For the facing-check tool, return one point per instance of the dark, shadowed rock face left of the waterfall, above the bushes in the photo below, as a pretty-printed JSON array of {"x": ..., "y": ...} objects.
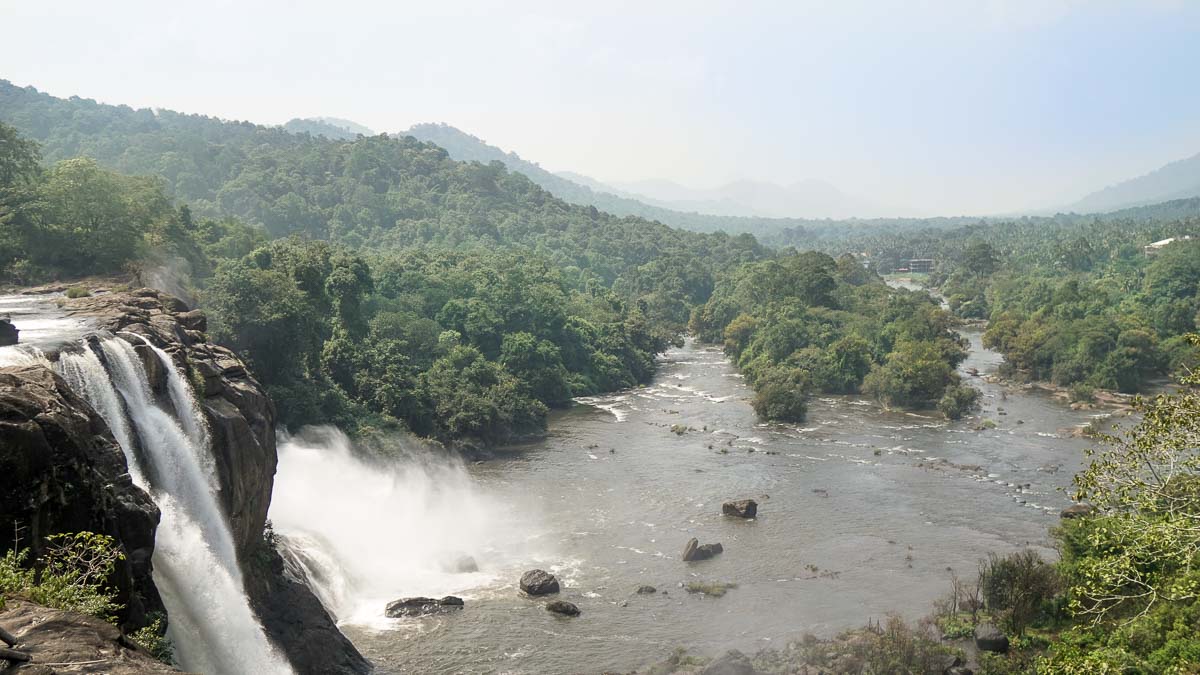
[{"x": 62, "y": 471}]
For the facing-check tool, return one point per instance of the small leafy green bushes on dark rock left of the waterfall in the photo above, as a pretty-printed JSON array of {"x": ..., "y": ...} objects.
[{"x": 73, "y": 575}]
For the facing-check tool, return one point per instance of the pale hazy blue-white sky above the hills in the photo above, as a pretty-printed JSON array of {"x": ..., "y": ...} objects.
[{"x": 934, "y": 107}]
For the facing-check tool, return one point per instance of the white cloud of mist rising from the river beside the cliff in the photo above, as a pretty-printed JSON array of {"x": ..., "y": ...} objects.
[{"x": 391, "y": 519}]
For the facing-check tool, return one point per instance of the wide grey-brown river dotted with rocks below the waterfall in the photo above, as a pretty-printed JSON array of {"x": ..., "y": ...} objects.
[{"x": 863, "y": 512}]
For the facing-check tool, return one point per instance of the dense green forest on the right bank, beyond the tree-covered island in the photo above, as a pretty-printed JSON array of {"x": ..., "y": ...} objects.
[{"x": 1072, "y": 301}]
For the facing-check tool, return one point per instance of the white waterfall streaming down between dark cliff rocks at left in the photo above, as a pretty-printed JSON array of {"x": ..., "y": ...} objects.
[{"x": 212, "y": 626}]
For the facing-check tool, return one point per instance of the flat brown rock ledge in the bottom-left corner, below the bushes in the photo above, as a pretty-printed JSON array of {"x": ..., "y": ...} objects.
[{"x": 52, "y": 636}]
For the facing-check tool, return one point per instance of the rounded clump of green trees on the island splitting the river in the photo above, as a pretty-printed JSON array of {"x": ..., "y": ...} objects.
[{"x": 808, "y": 324}]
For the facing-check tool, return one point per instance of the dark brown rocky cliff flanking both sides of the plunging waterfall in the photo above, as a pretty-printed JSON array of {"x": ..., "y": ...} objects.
[{"x": 242, "y": 422}]
